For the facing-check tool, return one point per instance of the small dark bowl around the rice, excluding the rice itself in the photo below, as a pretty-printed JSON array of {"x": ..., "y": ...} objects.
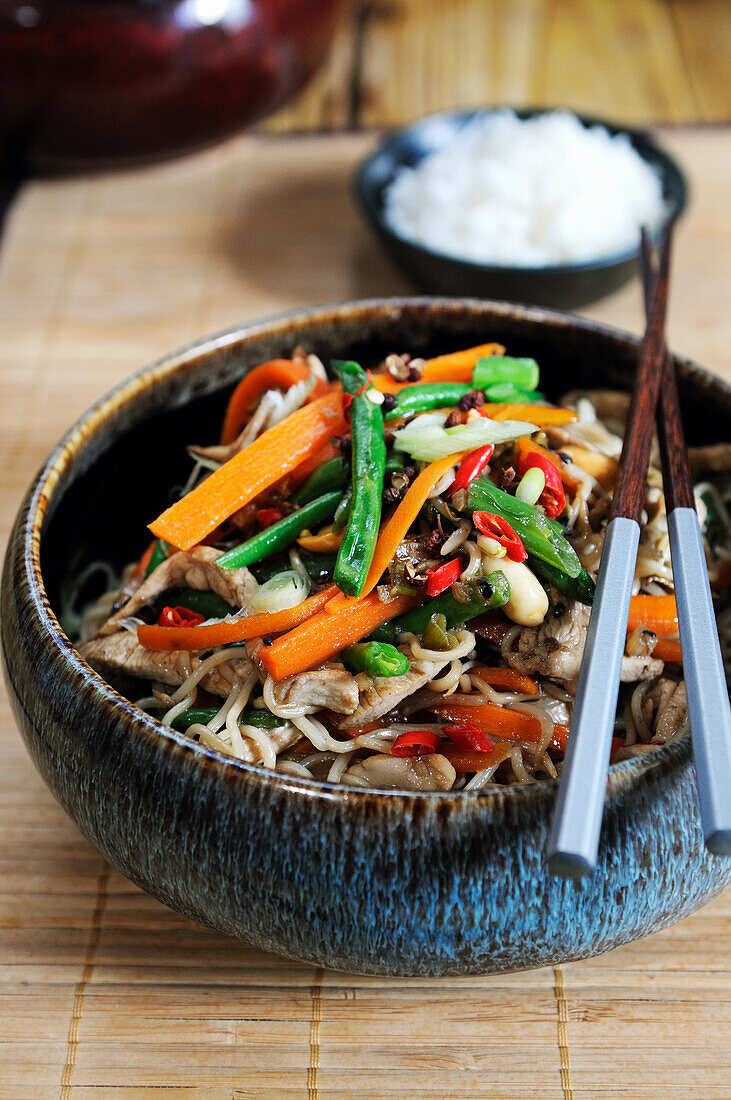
[{"x": 563, "y": 287}]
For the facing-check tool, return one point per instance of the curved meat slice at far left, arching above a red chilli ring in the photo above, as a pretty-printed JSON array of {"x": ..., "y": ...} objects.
[{"x": 187, "y": 569}]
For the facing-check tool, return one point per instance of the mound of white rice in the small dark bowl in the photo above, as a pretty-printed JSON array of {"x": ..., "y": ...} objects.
[{"x": 528, "y": 193}]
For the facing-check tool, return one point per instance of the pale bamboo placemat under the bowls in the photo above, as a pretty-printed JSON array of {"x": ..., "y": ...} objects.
[{"x": 104, "y": 992}]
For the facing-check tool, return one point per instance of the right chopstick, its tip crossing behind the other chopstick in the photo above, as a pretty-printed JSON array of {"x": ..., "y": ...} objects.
[{"x": 703, "y": 665}]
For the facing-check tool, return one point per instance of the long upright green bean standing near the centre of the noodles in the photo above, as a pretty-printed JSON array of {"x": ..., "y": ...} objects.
[{"x": 368, "y": 468}]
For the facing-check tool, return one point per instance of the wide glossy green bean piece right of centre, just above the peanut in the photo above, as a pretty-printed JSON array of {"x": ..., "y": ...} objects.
[{"x": 539, "y": 535}]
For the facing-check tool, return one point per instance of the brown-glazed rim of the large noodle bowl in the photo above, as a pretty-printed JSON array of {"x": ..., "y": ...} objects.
[{"x": 132, "y": 390}]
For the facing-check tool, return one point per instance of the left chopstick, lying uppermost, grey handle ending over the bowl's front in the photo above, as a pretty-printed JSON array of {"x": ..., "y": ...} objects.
[{"x": 574, "y": 840}]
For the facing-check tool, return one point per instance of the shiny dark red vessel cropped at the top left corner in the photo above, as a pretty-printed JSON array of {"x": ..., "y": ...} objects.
[{"x": 98, "y": 83}]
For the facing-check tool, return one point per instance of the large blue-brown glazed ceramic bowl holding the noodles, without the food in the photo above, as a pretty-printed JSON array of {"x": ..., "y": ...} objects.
[{"x": 369, "y": 882}]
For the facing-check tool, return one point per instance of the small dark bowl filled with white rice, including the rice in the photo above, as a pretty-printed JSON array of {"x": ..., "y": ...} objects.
[{"x": 540, "y": 207}]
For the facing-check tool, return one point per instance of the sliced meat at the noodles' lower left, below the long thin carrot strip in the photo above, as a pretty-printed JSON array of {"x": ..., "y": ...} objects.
[{"x": 121, "y": 655}]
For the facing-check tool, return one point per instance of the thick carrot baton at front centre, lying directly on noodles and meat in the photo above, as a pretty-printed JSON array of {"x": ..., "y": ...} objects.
[{"x": 324, "y": 636}]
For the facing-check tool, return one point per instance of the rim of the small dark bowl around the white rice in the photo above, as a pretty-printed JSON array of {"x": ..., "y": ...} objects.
[{"x": 369, "y": 194}]
